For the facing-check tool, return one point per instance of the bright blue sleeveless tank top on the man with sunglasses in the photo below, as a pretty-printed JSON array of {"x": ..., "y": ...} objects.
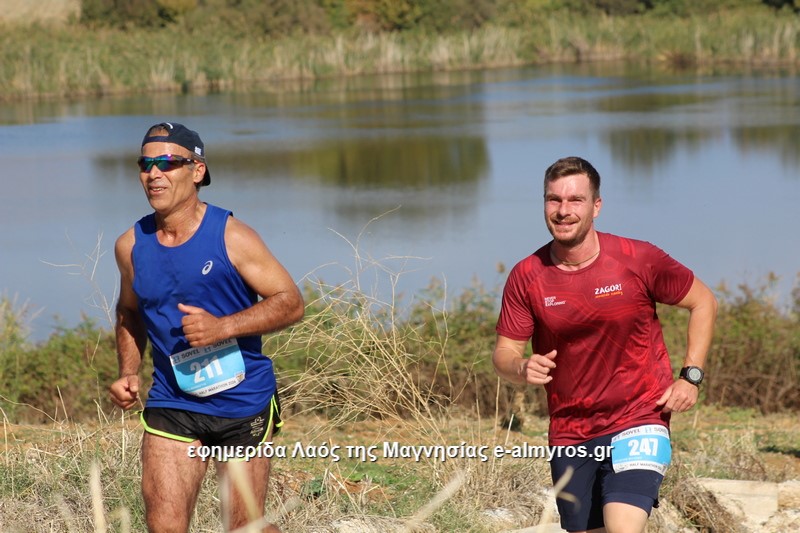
[{"x": 198, "y": 273}]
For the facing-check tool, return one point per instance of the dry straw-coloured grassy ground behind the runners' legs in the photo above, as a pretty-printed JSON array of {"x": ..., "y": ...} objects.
[{"x": 311, "y": 493}]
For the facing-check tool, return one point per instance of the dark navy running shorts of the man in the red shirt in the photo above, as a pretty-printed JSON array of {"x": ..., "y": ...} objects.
[{"x": 594, "y": 483}]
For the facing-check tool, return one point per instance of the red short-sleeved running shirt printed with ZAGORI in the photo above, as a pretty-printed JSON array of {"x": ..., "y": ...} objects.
[{"x": 612, "y": 363}]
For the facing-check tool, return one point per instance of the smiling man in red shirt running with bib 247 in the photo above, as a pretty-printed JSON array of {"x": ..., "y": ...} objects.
[{"x": 587, "y": 303}]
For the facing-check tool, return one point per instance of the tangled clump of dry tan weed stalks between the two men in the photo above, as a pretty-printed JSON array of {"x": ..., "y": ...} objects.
[{"x": 363, "y": 358}]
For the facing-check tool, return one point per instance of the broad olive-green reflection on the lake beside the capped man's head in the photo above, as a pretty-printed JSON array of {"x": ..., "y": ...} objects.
[{"x": 434, "y": 179}]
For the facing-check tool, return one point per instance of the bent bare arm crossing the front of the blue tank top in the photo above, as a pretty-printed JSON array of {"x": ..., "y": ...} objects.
[{"x": 281, "y": 304}]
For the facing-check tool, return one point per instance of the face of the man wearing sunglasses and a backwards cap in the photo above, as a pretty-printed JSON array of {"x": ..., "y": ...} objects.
[{"x": 169, "y": 189}]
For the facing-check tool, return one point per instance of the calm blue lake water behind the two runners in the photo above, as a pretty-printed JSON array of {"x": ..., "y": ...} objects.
[{"x": 704, "y": 166}]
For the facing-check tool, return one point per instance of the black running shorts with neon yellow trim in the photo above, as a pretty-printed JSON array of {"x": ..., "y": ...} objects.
[{"x": 187, "y": 426}]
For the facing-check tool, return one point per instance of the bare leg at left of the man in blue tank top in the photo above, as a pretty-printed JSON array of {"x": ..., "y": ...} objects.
[{"x": 171, "y": 481}]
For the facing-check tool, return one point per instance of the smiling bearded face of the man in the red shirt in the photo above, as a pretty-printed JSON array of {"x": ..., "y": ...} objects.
[{"x": 570, "y": 209}]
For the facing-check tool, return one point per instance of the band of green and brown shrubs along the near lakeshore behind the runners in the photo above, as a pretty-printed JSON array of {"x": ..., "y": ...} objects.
[{"x": 355, "y": 356}]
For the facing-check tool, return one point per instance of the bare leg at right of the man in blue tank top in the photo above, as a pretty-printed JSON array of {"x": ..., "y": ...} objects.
[{"x": 243, "y": 492}]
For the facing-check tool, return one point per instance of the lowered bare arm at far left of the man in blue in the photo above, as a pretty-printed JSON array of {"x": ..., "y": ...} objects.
[{"x": 129, "y": 329}]
